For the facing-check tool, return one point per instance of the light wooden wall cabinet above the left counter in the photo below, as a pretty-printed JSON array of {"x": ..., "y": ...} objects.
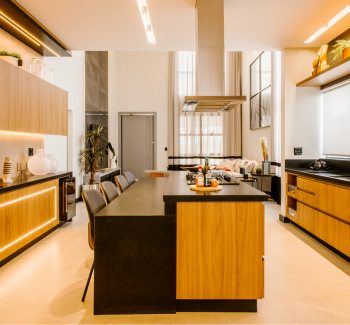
[{"x": 30, "y": 104}]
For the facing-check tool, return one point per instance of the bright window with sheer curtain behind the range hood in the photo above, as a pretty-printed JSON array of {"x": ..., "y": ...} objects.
[{"x": 201, "y": 134}]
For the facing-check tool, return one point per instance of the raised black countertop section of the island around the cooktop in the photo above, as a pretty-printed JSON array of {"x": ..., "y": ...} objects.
[{"x": 177, "y": 190}]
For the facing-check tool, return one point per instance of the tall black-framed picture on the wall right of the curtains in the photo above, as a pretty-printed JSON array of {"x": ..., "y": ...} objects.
[{"x": 260, "y": 91}]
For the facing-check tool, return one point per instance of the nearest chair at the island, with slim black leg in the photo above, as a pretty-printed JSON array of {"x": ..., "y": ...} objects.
[{"x": 94, "y": 203}]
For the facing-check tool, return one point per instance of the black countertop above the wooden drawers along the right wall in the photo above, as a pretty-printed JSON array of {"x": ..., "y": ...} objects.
[{"x": 331, "y": 175}]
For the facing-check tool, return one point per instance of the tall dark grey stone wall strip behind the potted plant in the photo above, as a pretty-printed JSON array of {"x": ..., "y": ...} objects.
[{"x": 96, "y": 94}]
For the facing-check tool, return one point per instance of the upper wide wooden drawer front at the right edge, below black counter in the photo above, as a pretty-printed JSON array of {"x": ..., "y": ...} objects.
[{"x": 334, "y": 200}]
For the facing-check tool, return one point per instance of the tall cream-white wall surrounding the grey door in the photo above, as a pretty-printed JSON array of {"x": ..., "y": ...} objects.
[{"x": 138, "y": 82}]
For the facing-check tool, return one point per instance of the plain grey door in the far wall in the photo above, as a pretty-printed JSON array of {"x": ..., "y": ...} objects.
[{"x": 137, "y": 143}]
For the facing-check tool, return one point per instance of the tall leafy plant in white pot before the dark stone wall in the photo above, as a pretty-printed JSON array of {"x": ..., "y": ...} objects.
[{"x": 91, "y": 158}]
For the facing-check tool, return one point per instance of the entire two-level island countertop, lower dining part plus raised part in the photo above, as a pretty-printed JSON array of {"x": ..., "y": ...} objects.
[{"x": 146, "y": 197}]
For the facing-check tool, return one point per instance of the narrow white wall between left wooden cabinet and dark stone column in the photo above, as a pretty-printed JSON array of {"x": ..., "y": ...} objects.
[{"x": 70, "y": 76}]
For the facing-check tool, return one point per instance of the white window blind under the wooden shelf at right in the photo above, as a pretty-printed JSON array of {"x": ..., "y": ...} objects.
[{"x": 336, "y": 121}]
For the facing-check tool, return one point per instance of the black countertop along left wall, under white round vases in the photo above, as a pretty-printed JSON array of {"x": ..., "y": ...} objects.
[{"x": 30, "y": 181}]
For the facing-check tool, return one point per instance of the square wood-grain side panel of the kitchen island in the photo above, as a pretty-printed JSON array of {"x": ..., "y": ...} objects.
[{"x": 220, "y": 248}]
